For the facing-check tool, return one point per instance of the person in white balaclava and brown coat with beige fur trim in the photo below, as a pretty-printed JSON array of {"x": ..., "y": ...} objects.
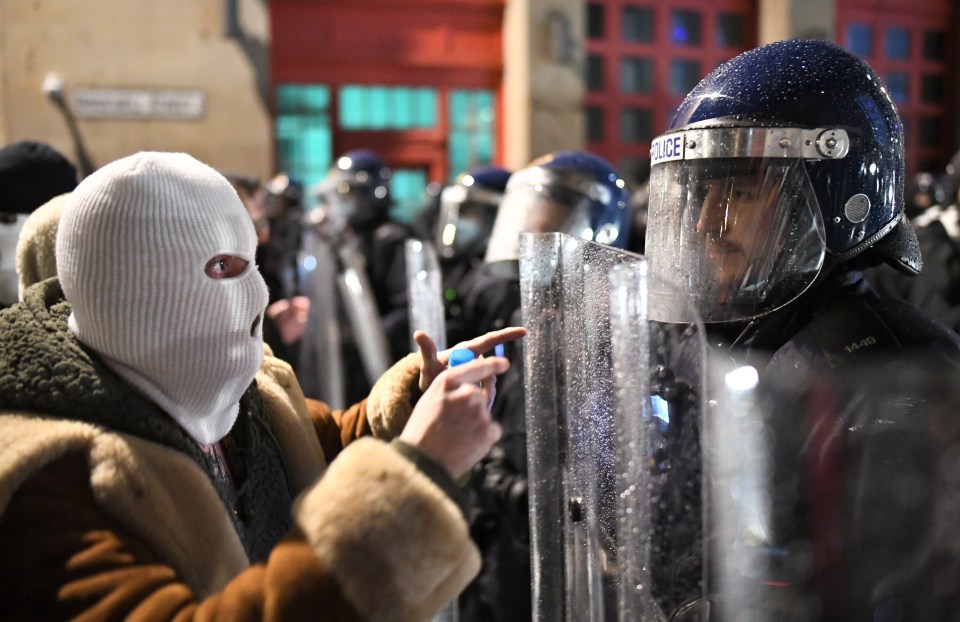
[{"x": 111, "y": 508}]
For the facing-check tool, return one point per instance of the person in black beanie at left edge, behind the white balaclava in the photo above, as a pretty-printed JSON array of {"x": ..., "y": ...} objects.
[{"x": 31, "y": 173}]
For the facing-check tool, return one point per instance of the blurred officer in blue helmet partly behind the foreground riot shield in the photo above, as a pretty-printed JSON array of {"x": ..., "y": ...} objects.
[{"x": 571, "y": 192}]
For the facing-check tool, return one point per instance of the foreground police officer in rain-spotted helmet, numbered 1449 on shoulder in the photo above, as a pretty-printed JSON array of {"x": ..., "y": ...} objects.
[{"x": 780, "y": 179}]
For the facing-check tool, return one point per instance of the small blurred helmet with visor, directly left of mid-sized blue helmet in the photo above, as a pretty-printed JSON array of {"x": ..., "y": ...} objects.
[{"x": 468, "y": 208}]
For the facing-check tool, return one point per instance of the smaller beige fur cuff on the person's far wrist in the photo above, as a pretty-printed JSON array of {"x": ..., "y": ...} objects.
[{"x": 389, "y": 404}]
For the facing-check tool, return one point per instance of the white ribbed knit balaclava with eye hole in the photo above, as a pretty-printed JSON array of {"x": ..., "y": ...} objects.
[{"x": 132, "y": 247}]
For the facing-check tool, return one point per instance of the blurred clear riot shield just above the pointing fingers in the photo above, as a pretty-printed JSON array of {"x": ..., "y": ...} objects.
[{"x": 425, "y": 292}]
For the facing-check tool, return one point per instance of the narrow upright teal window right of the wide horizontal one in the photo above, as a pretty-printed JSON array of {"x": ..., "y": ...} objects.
[{"x": 471, "y": 137}]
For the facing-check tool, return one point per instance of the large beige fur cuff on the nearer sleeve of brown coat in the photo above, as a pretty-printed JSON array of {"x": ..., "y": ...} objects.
[{"x": 399, "y": 548}]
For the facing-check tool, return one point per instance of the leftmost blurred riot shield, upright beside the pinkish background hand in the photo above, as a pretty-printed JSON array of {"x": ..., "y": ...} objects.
[{"x": 320, "y": 368}]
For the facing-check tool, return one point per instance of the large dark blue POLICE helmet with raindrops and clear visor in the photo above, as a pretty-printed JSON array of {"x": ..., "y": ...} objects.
[{"x": 783, "y": 161}]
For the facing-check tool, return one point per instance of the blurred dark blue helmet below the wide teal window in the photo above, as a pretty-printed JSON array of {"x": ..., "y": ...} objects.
[{"x": 356, "y": 190}]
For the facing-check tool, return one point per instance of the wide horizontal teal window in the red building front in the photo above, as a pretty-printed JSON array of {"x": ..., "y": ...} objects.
[{"x": 386, "y": 108}]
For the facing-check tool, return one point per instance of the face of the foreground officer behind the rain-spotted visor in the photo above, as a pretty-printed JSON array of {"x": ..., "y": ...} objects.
[{"x": 734, "y": 220}]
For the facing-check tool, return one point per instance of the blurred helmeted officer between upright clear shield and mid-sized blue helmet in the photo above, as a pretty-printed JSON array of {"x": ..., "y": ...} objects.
[{"x": 466, "y": 213}]
